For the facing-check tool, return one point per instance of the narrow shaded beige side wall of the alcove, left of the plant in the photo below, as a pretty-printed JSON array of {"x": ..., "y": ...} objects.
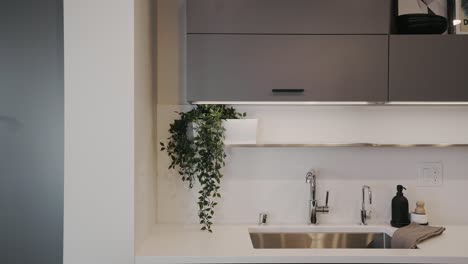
[{"x": 145, "y": 110}]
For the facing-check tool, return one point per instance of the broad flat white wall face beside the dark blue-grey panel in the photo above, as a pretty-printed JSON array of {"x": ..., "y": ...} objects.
[{"x": 99, "y": 149}]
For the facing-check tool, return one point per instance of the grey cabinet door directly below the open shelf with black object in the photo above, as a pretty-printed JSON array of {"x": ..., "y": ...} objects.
[{"x": 428, "y": 68}]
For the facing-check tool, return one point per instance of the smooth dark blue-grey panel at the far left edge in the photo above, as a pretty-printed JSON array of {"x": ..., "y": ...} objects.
[{"x": 31, "y": 131}]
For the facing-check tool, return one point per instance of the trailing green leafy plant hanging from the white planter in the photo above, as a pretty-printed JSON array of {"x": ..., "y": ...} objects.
[{"x": 200, "y": 156}]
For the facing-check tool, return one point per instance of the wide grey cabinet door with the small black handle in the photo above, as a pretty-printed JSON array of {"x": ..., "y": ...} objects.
[{"x": 260, "y": 67}]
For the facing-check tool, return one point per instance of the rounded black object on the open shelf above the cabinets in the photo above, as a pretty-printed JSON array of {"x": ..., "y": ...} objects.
[{"x": 421, "y": 24}]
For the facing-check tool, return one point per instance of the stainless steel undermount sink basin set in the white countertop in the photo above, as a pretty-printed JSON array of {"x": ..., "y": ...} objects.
[{"x": 320, "y": 240}]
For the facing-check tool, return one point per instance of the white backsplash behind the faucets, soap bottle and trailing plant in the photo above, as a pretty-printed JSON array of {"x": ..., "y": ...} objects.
[{"x": 272, "y": 180}]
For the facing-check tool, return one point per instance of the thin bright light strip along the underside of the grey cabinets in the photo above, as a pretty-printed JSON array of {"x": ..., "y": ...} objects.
[{"x": 325, "y": 103}]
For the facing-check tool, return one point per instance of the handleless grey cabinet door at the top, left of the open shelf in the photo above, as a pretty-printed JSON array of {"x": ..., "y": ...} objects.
[{"x": 289, "y": 16}]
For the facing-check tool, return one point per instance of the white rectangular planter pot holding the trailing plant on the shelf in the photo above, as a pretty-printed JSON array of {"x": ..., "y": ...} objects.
[{"x": 238, "y": 131}]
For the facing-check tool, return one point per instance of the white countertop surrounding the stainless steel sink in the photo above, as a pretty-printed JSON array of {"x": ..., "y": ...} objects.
[{"x": 232, "y": 244}]
